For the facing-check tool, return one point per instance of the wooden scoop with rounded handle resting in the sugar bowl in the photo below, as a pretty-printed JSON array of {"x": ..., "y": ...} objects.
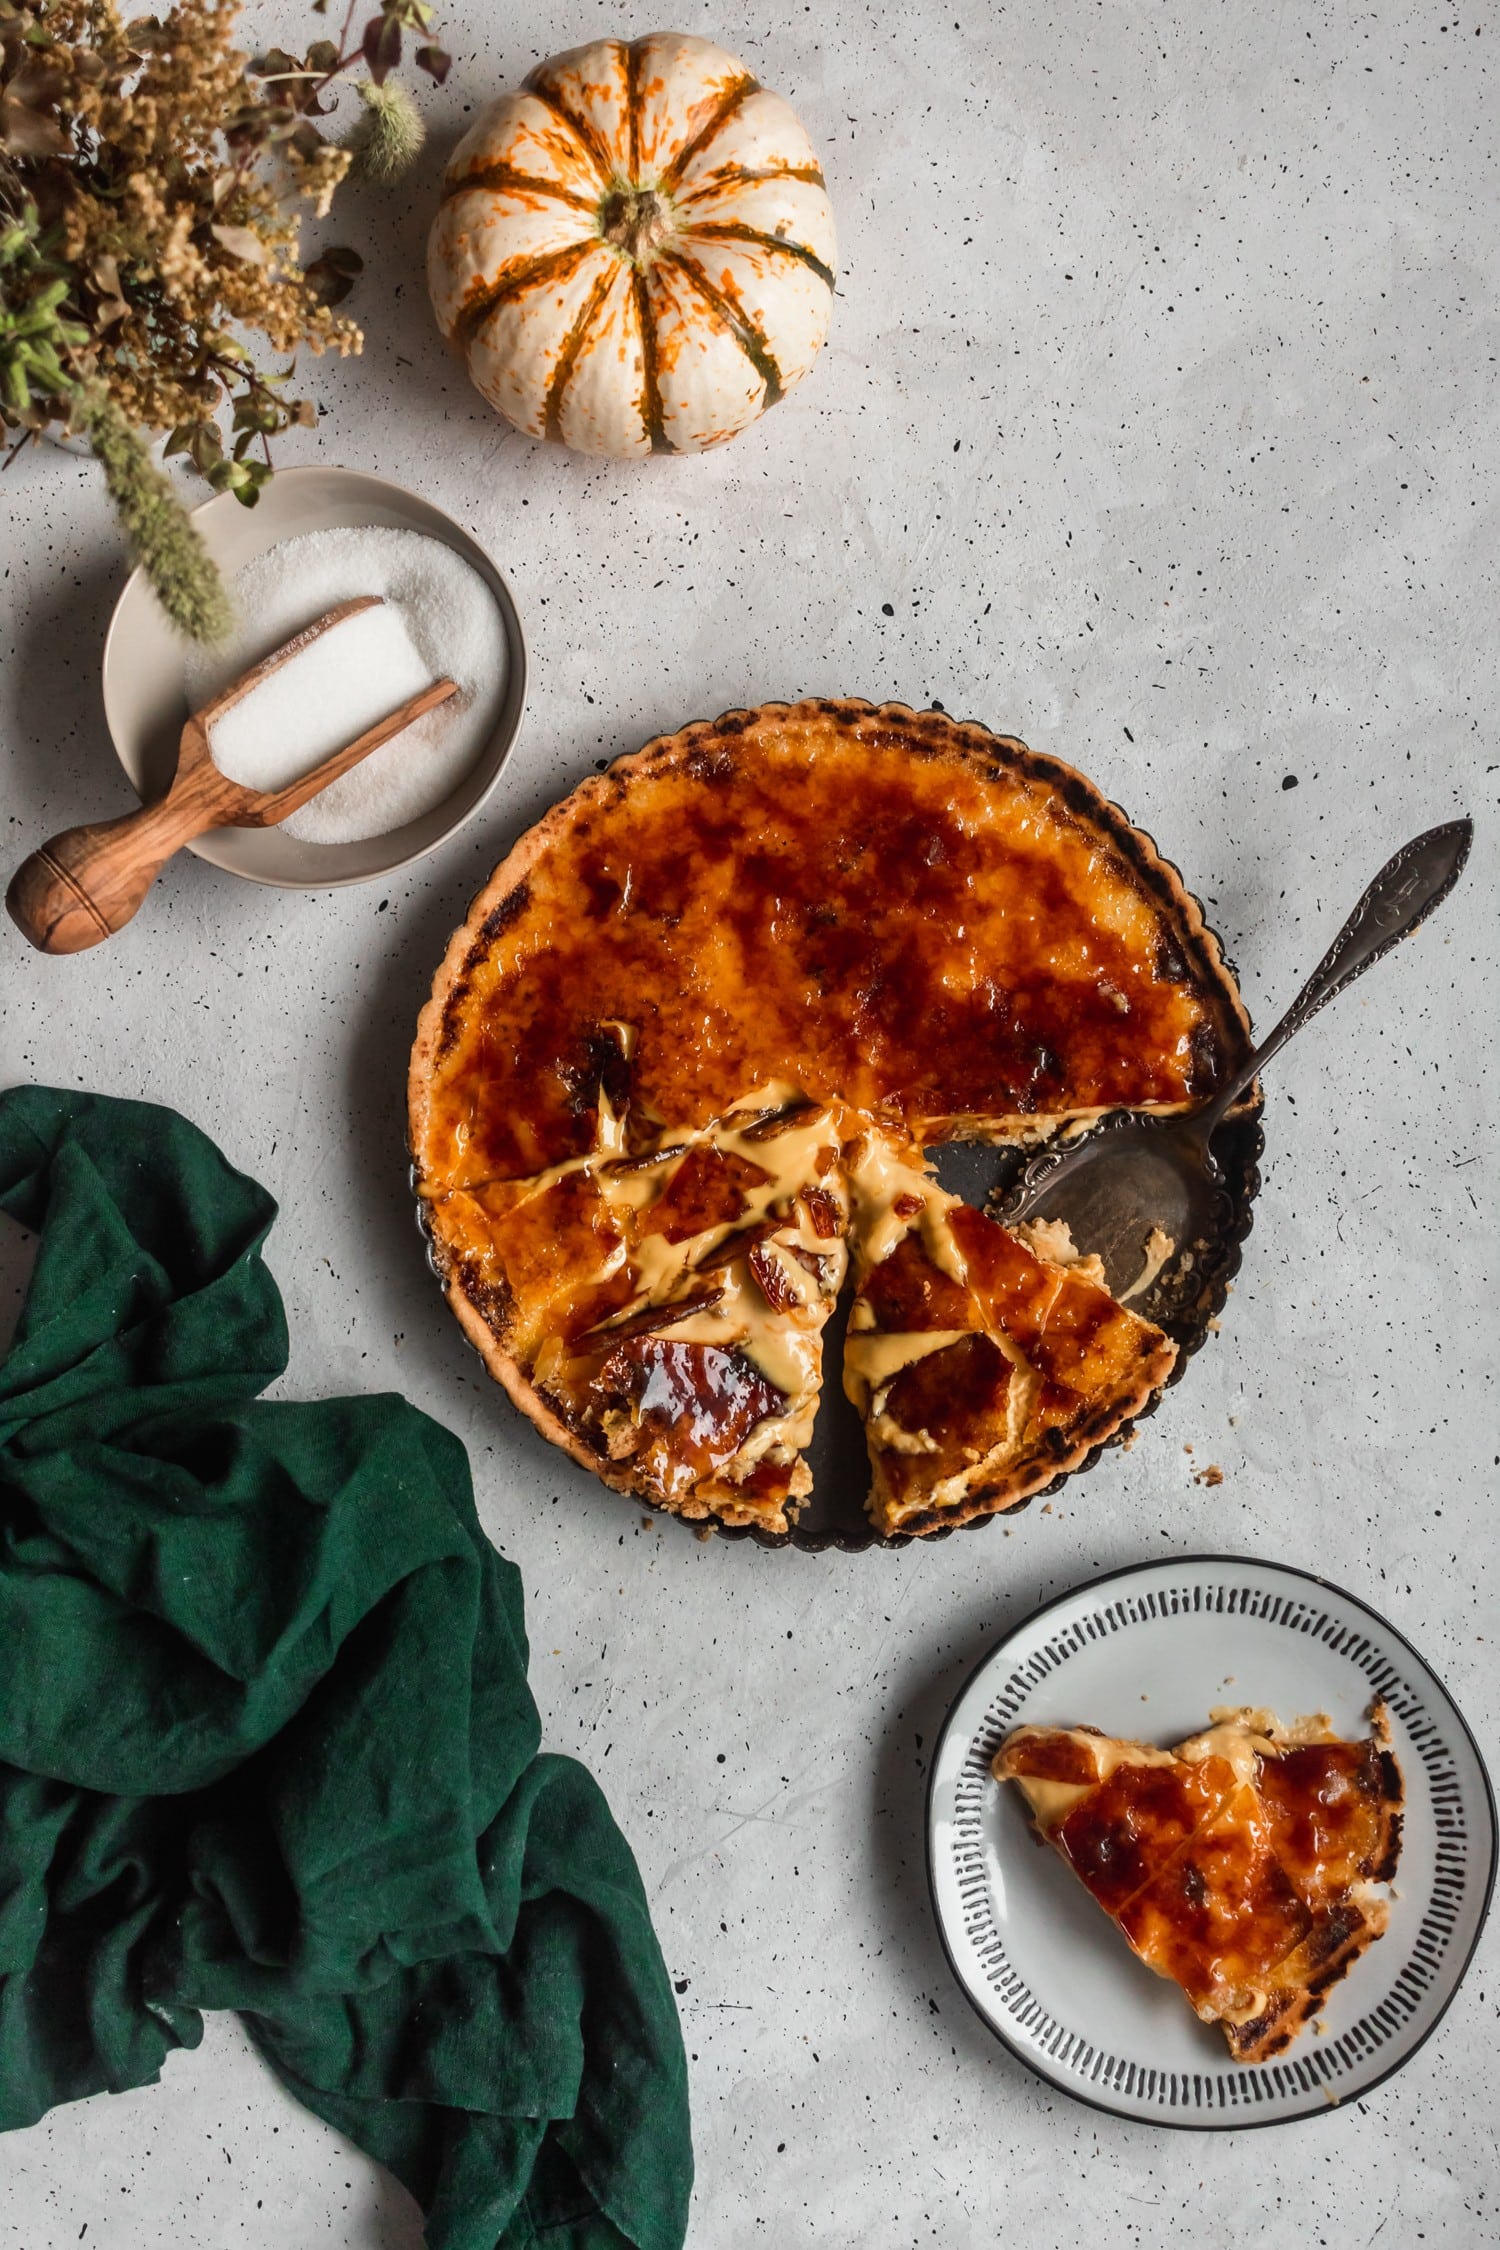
[{"x": 87, "y": 883}]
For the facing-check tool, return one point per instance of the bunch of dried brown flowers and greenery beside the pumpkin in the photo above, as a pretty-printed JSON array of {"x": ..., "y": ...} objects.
[{"x": 152, "y": 188}]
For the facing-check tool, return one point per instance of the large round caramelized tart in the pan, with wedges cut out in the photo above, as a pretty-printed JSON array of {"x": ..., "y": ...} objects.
[{"x": 687, "y": 1056}]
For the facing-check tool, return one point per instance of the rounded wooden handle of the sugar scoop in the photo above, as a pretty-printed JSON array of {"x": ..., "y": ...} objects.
[{"x": 87, "y": 883}]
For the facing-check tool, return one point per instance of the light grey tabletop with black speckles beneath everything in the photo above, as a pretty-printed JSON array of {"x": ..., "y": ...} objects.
[{"x": 1159, "y": 426}]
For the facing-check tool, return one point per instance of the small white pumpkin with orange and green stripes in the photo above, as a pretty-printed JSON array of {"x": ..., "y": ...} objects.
[{"x": 635, "y": 253}]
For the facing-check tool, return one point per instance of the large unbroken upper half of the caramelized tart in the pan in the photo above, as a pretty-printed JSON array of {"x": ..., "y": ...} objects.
[{"x": 923, "y": 924}]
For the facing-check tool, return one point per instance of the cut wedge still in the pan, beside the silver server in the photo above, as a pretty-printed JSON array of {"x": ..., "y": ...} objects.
[{"x": 984, "y": 1362}]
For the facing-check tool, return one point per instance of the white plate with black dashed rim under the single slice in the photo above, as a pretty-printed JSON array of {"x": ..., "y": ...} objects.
[{"x": 1148, "y": 1653}]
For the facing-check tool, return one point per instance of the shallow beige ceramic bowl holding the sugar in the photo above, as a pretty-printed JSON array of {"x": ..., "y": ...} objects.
[{"x": 145, "y": 701}]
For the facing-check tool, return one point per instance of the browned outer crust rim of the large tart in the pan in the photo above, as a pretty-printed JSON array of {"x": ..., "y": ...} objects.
[{"x": 930, "y": 735}]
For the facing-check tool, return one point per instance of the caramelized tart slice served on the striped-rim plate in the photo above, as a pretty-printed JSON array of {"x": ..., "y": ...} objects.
[{"x": 1245, "y": 1864}]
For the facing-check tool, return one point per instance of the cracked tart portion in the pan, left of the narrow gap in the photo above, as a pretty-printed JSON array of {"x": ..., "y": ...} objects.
[{"x": 667, "y": 1311}]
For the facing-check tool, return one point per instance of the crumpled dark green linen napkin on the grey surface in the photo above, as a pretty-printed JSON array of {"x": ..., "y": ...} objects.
[{"x": 266, "y": 1738}]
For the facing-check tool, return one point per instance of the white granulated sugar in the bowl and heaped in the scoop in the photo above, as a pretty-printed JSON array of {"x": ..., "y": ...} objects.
[{"x": 440, "y": 620}]
